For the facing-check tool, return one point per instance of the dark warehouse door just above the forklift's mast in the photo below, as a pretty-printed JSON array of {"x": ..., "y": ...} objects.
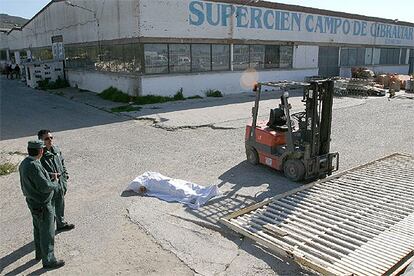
[{"x": 328, "y": 61}]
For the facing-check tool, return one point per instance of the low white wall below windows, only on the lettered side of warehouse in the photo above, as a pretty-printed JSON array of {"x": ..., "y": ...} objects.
[{"x": 226, "y": 82}]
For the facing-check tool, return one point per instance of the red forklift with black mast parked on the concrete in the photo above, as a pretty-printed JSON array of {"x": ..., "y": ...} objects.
[{"x": 296, "y": 144}]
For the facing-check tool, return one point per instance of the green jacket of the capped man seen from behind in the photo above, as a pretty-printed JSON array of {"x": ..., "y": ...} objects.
[{"x": 35, "y": 182}]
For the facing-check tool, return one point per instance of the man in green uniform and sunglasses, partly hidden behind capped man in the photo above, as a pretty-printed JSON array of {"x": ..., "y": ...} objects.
[{"x": 53, "y": 162}]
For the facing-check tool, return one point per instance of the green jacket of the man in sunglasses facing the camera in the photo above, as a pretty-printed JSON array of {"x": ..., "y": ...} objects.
[{"x": 53, "y": 161}]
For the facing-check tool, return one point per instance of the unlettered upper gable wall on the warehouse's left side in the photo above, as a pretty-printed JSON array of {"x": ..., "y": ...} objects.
[{"x": 117, "y": 19}]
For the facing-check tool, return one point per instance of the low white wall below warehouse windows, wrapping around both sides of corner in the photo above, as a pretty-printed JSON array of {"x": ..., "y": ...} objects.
[{"x": 192, "y": 84}]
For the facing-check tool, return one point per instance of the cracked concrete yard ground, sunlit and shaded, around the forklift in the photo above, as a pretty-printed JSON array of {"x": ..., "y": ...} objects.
[{"x": 199, "y": 140}]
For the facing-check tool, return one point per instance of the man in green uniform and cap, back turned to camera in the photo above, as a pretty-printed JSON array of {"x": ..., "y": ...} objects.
[{"x": 38, "y": 188}]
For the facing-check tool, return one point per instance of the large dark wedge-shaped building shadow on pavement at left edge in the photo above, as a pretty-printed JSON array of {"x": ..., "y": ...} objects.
[{"x": 25, "y": 110}]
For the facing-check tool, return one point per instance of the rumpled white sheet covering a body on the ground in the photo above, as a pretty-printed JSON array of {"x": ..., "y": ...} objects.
[{"x": 173, "y": 190}]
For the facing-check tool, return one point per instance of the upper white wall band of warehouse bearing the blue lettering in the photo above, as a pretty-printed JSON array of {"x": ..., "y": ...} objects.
[{"x": 188, "y": 20}]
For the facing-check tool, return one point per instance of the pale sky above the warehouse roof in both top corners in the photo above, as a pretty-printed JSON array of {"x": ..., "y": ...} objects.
[{"x": 397, "y": 9}]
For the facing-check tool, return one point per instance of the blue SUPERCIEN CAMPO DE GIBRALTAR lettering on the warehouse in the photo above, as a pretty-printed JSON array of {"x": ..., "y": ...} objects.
[{"x": 220, "y": 14}]
